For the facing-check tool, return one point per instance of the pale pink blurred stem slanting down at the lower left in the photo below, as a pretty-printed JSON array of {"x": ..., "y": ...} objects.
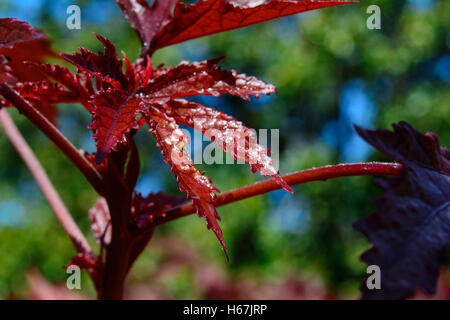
[{"x": 44, "y": 183}]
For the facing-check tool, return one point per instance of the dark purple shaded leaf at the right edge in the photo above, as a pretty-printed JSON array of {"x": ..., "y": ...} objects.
[{"x": 411, "y": 229}]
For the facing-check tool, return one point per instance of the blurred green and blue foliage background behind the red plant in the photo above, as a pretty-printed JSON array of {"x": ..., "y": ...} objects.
[{"x": 330, "y": 71}]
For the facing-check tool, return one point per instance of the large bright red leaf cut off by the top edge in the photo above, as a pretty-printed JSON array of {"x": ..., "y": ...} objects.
[{"x": 167, "y": 22}]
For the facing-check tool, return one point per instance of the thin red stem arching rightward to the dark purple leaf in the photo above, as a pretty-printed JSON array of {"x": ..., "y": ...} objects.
[{"x": 299, "y": 177}]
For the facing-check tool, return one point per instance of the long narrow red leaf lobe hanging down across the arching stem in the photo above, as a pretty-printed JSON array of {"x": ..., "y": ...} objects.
[{"x": 198, "y": 187}]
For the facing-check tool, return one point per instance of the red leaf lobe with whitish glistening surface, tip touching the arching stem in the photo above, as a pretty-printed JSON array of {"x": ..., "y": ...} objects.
[{"x": 228, "y": 133}]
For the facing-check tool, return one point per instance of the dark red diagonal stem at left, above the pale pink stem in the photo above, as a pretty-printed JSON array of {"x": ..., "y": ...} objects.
[{"x": 86, "y": 168}]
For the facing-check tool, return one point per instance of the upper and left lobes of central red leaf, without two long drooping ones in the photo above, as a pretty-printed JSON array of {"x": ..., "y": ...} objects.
[{"x": 115, "y": 103}]
